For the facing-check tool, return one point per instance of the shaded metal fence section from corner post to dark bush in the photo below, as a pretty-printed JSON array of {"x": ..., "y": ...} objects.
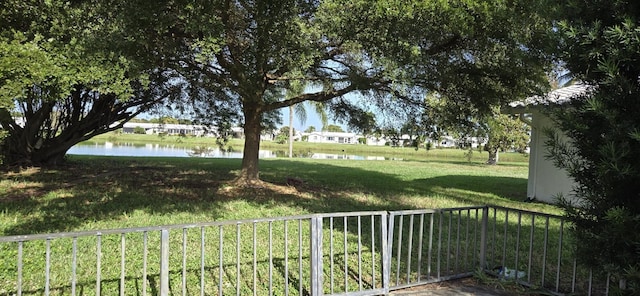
[{"x": 536, "y": 250}]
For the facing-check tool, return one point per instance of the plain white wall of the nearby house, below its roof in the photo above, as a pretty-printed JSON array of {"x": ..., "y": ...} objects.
[{"x": 545, "y": 180}]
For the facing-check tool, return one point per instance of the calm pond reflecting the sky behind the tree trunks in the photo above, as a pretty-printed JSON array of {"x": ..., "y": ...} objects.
[{"x": 163, "y": 150}]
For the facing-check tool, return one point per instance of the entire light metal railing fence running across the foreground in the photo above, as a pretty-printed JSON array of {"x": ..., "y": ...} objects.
[{"x": 354, "y": 253}]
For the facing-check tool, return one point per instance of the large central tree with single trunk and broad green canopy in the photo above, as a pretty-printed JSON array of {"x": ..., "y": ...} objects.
[{"x": 246, "y": 53}]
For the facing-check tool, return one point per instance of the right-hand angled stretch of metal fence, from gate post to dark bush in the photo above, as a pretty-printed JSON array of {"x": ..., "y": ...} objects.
[{"x": 533, "y": 249}]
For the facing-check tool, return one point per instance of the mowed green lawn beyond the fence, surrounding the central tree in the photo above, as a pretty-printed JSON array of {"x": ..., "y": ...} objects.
[{"x": 92, "y": 192}]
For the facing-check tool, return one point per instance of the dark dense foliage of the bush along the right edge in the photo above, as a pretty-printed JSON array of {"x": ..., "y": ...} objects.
[{"x": 601, "y": 44}]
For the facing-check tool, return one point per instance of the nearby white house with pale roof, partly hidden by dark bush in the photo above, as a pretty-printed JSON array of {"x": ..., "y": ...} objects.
[{"x": 546, "y": 181}]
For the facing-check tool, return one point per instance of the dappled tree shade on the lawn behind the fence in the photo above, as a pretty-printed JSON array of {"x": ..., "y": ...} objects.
[{"x": 104, "y": 188}]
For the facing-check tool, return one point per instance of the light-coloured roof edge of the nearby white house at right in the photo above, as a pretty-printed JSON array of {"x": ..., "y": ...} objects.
[{"x": 556, "y": 97}]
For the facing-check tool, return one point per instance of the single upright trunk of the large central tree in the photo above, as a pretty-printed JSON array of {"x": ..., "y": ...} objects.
[{"x": 252, "y": 129}]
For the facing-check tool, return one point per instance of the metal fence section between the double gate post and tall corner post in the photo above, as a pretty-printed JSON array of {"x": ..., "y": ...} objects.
[{"x": 434, "y": 245}]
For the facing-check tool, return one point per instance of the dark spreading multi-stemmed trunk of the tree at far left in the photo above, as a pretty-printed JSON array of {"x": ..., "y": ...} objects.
[{"x": 53, "y": 127}]
